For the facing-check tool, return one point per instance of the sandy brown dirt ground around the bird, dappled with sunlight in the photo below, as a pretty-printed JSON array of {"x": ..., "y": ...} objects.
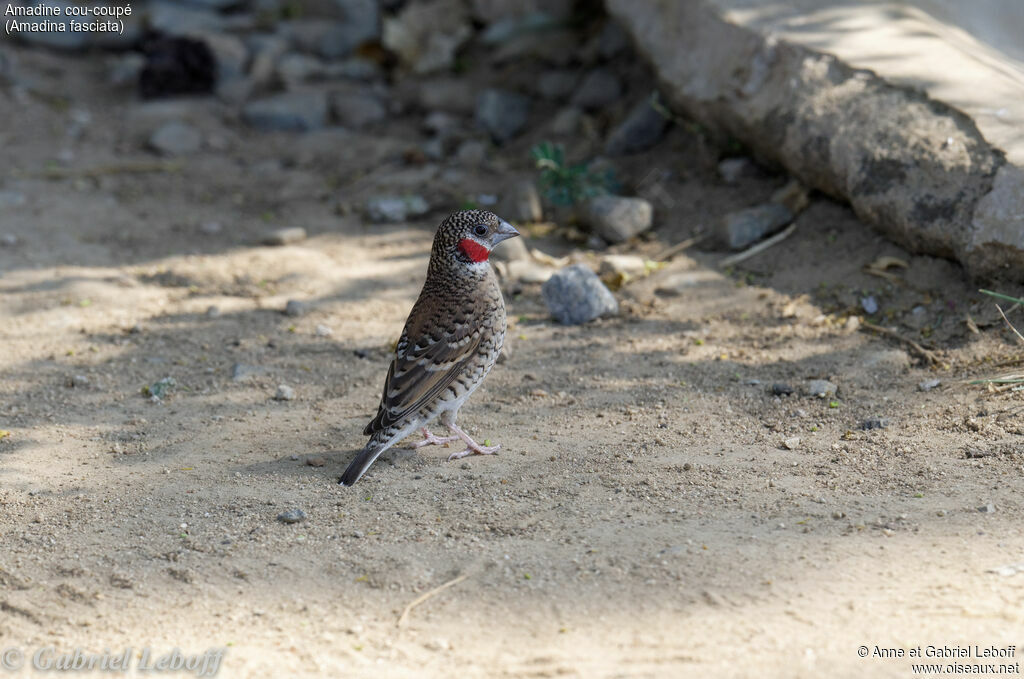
[{"x": 645, "y": 518}]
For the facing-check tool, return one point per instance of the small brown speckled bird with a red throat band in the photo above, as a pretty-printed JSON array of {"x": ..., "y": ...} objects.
[{"x": 451, "y": 342}]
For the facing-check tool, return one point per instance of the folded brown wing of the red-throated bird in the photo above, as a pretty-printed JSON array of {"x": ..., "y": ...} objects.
[{"x": 431, "y": 355}]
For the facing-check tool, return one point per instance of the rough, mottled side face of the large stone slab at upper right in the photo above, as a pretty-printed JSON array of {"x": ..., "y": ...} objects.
[{"x": 917, "y": 169}]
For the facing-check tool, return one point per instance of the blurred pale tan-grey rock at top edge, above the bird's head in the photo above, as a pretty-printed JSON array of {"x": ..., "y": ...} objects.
[{"x": 426, "y": 35}]
